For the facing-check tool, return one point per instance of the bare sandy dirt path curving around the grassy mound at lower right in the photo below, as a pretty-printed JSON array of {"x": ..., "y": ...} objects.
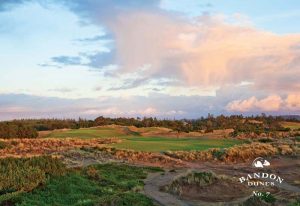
[{"x": 155, "y": 181}]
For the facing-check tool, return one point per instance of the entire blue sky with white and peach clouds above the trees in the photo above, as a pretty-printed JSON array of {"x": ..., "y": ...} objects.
[{"x": 163, "y": 58}]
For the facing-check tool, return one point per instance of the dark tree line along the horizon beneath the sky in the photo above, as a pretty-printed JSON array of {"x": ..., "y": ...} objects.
[{"x": 258, "y": 124}]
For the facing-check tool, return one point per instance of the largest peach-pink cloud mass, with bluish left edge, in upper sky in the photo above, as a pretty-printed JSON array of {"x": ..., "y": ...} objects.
[{"x": 206, "y": 51}]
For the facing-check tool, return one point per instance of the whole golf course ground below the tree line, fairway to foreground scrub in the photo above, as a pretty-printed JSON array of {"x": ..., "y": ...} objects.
[{"x": 126, "y": 165}]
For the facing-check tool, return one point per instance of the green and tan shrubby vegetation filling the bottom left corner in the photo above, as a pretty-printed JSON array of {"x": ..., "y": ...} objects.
[{"x": 50, "y": 183}]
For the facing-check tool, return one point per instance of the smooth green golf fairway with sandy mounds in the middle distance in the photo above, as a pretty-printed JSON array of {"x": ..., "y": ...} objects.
[{"x": 139, "y": 140}]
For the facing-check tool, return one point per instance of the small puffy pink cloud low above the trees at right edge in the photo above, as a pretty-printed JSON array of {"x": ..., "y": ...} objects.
[{"x": 267, "y": 104}]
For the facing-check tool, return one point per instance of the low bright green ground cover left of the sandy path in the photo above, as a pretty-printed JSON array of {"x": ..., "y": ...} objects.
[{"x": 108, "y": 184}]
